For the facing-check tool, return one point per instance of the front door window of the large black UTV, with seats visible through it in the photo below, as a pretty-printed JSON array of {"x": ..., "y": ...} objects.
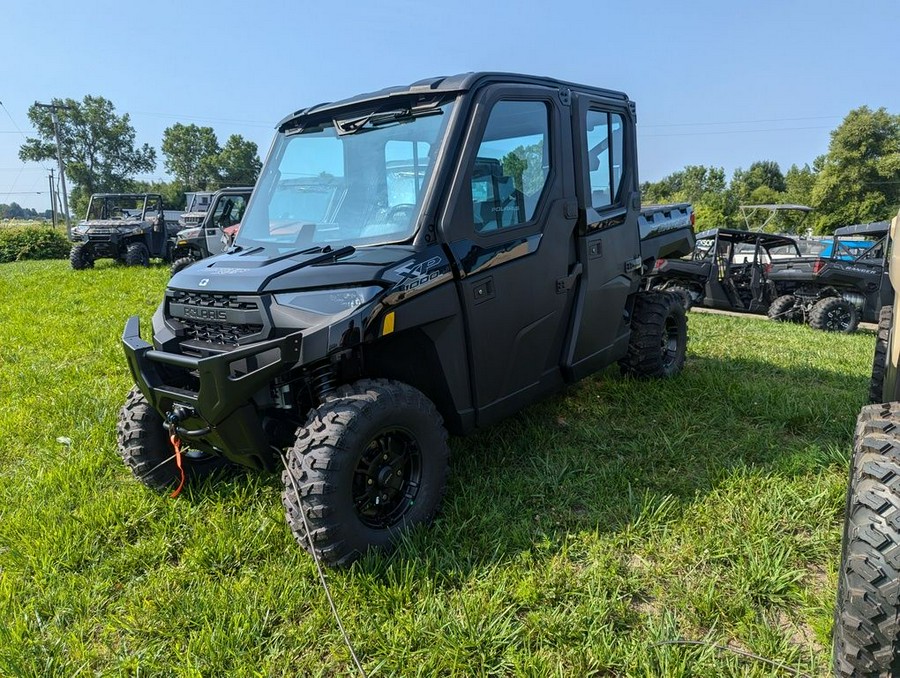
[{"x": 512, "y": 165}]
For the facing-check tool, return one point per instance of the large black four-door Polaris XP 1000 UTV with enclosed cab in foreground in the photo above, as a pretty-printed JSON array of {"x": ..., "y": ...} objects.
[{"x": 418, "y": 260}]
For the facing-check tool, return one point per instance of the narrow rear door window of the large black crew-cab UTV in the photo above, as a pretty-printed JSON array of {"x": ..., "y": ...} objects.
[{"x": 605, "y": 135}]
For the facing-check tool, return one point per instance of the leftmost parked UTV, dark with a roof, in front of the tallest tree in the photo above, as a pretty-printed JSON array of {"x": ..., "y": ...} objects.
[{"x": 128, "y": 227}]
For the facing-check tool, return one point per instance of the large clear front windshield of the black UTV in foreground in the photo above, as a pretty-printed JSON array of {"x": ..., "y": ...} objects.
[{"x": 355, "y": 180}]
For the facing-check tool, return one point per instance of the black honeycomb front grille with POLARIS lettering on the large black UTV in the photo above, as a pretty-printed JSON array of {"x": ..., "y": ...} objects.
[{"x": 218, "y": 328}]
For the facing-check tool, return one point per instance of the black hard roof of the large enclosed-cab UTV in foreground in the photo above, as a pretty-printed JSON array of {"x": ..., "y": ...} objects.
[{"x": 461, "y": 82}]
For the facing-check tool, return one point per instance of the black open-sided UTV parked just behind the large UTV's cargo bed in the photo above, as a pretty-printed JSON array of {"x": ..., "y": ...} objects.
[{"x": 727, "y": 270}]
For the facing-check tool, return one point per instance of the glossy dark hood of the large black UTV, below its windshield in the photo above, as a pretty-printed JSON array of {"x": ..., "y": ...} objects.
[{"x": 248, "y": 272}]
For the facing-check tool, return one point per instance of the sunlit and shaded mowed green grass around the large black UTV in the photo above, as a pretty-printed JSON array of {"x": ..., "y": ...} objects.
[{"x": 575, "y": 537}]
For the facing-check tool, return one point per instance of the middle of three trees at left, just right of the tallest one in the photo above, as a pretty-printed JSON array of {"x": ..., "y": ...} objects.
[{"x": 191, "y": 154}]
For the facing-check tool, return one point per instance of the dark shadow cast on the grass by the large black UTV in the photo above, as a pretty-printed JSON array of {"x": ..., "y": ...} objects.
[{"x": 596, "y": 456}]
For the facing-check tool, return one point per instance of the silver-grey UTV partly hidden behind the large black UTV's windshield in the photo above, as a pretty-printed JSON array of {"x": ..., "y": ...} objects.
[{"x": 226, "y": 209}]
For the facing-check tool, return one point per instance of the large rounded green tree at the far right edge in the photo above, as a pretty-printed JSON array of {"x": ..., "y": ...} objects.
[{"x": 858, "y": 177}]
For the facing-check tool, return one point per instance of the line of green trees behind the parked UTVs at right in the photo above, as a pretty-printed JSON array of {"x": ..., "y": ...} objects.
[{"x": 856, "y": 181}]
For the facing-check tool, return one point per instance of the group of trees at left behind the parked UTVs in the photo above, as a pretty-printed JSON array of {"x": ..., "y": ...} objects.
[{"x": 101, "y": 155}]
